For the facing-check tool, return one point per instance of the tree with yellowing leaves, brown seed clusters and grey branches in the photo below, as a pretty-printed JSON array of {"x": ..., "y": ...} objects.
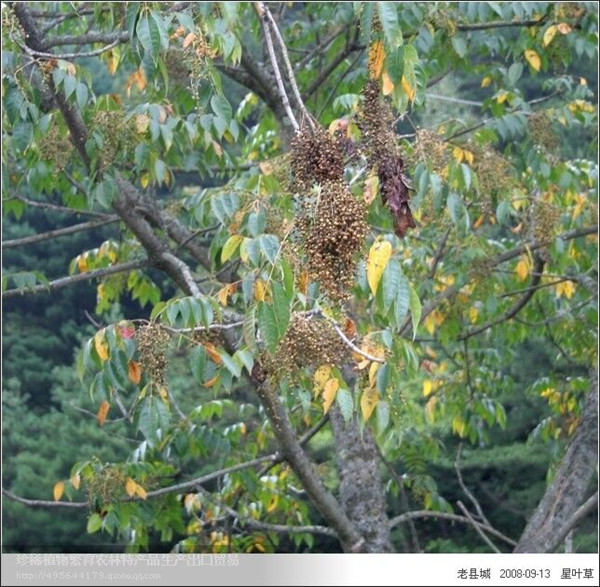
[{"x": 341, "y": 269}]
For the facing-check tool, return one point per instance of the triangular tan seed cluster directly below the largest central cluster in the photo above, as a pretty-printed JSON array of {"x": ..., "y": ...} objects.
[{"x": 309, "y": 342}]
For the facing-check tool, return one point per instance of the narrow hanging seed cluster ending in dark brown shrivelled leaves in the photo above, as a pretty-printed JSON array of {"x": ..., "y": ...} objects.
[{"x": 376, "y": 124}]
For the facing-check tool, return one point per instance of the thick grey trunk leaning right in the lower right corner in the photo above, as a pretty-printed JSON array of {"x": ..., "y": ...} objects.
[{"x": 559, "y": 510}]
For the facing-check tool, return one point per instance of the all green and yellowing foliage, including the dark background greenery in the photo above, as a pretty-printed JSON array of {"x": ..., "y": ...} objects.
[{"x": 475, "y": 329}]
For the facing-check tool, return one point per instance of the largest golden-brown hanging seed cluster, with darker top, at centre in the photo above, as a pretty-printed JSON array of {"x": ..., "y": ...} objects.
[{"x": 331, "y": 222}]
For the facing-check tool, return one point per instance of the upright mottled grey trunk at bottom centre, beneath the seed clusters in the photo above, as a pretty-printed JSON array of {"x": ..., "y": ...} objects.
[{"x": 361, "y": 488}]
